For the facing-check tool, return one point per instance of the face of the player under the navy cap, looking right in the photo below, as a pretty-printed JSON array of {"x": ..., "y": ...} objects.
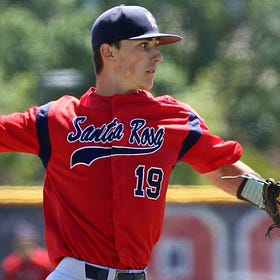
[{"x": 136, "y": 63}]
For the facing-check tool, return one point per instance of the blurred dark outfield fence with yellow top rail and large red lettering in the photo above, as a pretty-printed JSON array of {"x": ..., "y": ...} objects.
[{"x": 207, "y": 234}]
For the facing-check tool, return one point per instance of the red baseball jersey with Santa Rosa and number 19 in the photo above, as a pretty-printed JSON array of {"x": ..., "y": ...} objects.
[{"x": 108, "y": 160}]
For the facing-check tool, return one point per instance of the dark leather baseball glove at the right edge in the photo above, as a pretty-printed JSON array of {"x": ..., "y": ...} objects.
[{"x": 271, "y": 201}]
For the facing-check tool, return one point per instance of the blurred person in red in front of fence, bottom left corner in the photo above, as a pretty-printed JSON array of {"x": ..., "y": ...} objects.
[{"x": 29, "y": 260}]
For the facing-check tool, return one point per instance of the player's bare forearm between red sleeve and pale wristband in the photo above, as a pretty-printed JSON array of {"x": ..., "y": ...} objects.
[{"x": 230, "y": 185}]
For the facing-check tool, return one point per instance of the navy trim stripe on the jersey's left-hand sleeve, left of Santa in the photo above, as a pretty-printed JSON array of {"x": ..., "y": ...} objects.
[{"x": 43, "y": 133}]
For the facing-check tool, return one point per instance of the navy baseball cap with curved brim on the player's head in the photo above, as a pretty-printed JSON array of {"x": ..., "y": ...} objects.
[{"x": 128, "y": 22}]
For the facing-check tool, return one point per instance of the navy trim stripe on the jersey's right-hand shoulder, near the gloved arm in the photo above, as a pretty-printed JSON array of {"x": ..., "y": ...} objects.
[{"x": 193, "y": 136}]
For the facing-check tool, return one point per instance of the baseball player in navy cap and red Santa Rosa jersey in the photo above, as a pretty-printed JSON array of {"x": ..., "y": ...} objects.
[{"x": 109, "y": 154}]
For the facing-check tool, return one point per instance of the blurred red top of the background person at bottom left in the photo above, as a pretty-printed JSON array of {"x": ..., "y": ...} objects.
[{"x": 37, "y": 267}]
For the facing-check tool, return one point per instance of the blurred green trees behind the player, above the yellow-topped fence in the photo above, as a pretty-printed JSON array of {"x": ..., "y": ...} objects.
[{"x": 227, "y": 68}]
